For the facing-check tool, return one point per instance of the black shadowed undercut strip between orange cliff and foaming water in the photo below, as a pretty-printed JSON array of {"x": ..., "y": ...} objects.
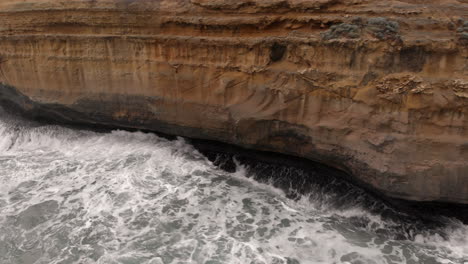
[{"x": 294, "y": 175}]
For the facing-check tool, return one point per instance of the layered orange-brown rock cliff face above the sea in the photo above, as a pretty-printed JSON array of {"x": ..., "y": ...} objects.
[{"x": 377, "y": 88}]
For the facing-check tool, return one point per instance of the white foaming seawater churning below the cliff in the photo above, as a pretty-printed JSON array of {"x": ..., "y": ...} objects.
[{"x": 74, "y": 196}]
